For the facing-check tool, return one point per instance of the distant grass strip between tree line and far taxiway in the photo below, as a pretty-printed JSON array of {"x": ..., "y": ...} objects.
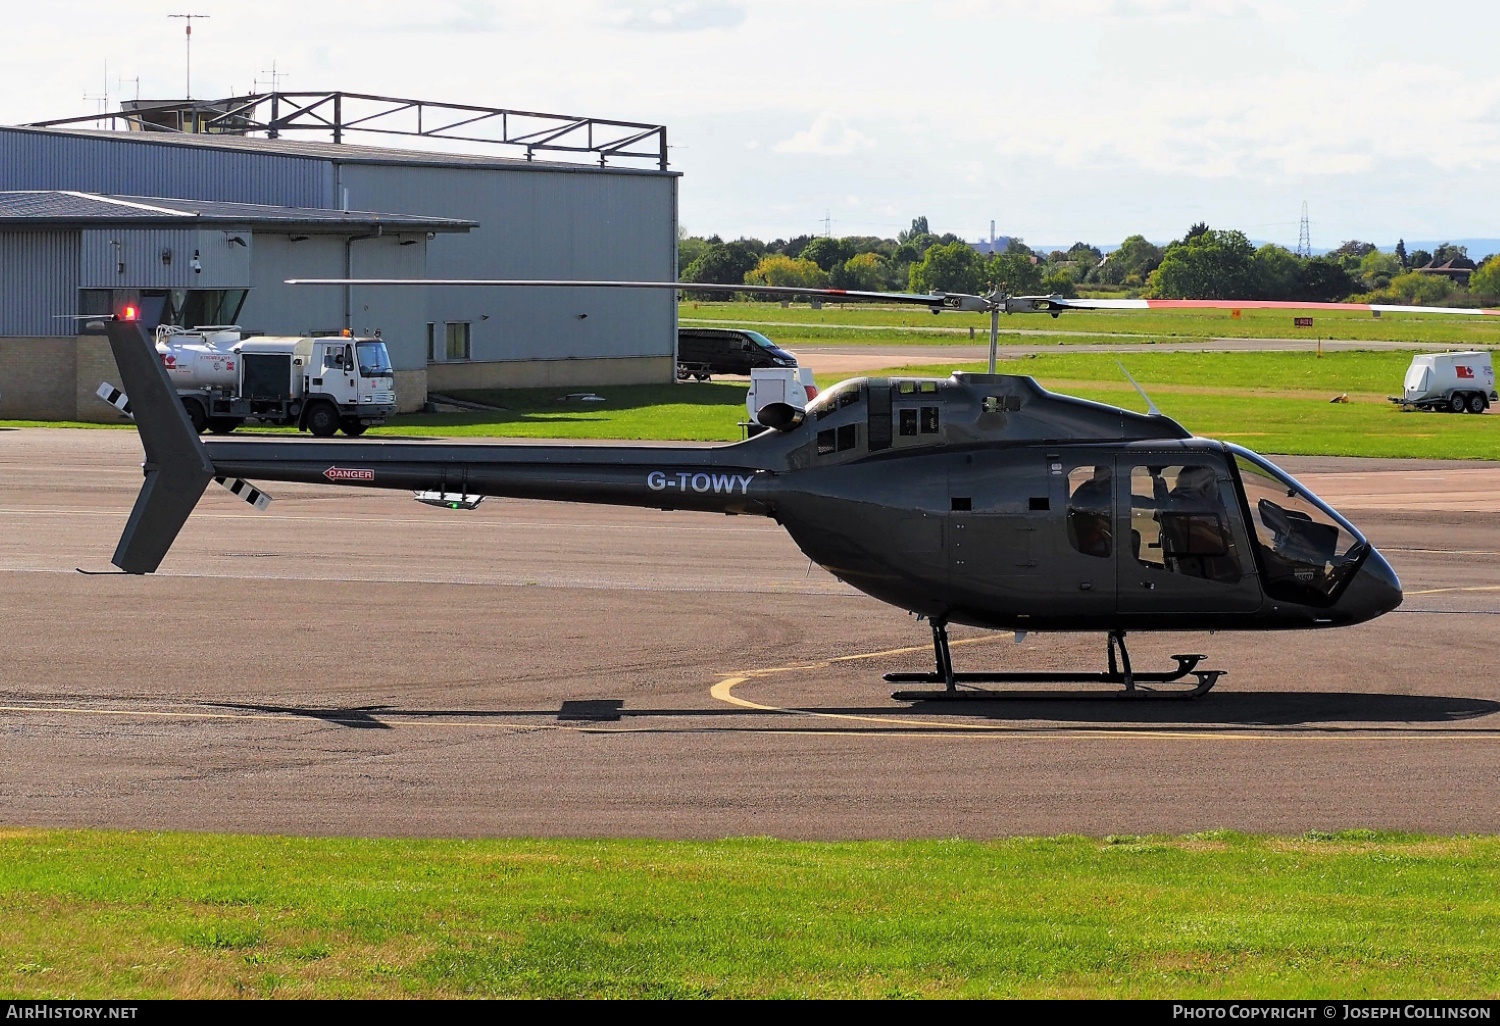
[{"x": 910, "y": 325}]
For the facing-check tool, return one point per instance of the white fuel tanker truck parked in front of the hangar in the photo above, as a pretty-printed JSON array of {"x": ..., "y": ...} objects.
[{"x": 319, "y": 383}]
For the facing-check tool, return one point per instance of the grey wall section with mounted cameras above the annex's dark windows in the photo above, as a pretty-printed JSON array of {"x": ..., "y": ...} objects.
[{"x": 137, "y": 259}]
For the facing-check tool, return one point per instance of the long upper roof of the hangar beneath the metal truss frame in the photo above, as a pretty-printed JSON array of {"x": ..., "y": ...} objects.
[{"x": 335, "y": 152}]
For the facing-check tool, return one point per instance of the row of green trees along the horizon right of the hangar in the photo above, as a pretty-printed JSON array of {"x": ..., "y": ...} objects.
[{"x": 1207, "y": 263}]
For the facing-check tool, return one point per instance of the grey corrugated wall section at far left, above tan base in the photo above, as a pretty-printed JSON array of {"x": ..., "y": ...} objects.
[{"x": 38, "y": 283}]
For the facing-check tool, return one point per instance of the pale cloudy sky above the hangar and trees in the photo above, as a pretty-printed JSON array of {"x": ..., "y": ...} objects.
[{"x": 1058, "y": 119}]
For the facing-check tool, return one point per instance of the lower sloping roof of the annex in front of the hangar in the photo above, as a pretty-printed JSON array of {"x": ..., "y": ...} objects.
[{"x": 89, "y": 209}]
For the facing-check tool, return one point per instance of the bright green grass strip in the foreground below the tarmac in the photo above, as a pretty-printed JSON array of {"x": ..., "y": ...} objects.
[{"x": 1211, "y": 916}]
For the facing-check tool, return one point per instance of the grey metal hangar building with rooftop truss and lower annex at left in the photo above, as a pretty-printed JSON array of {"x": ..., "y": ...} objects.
[{"x": 203, "y": 221}]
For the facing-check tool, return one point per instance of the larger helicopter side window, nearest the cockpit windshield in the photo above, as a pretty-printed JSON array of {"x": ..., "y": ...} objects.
[{"x": 1180, "y": 523}]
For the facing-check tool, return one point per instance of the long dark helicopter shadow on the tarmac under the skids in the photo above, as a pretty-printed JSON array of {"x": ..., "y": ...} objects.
[{"x": 1231, "y": 710}]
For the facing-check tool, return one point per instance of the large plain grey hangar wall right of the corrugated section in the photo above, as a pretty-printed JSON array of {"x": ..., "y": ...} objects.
[{"x": 544, "y": 224}]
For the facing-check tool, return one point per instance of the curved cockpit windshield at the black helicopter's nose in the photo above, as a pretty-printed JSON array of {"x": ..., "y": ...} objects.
[{"x": 1309, "y": 551}]
